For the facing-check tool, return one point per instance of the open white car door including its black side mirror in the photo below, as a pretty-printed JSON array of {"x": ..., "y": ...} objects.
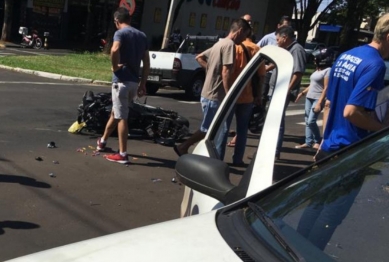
[{"x": 216, "y": 190}]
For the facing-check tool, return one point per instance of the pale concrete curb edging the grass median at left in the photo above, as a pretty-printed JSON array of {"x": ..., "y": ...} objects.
[{"x": 56, "y": 76}]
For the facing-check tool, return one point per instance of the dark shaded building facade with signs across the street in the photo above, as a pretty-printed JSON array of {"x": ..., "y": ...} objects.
[{"x": 67, "y": 20}]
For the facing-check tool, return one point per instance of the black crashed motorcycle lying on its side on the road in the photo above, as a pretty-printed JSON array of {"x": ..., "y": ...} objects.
[{"x": 163, "y": 126}]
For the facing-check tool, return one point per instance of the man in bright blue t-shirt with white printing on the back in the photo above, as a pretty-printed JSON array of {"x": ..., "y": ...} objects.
[{"x": 355, "y": 80}]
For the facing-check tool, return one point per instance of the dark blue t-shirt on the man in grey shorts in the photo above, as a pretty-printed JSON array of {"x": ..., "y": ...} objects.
[{"x": 133, "y": 44}]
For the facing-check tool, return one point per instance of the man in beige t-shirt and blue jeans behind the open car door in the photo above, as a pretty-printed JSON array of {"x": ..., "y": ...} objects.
[{"x": 218, "y": 61}]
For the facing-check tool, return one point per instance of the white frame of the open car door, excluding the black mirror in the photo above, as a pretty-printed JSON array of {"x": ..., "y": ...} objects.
[{"x": 261, "y": 175}]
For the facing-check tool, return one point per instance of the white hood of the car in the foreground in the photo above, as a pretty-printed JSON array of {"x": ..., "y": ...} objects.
[{"x": 193, "y": 238}]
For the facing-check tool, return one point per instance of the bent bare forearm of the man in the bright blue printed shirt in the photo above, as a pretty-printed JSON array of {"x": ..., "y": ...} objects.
[{"x": 358, "y": 116}]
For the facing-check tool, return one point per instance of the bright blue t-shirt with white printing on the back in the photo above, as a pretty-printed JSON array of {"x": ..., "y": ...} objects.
[{"x": 355, "y": 79}]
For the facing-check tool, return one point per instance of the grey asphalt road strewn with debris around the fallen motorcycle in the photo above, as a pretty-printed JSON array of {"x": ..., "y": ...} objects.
[{"x": 88, "y": 196}]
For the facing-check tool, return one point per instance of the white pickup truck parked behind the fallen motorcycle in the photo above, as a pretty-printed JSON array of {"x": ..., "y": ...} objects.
[{"x": 179, "y": 69}]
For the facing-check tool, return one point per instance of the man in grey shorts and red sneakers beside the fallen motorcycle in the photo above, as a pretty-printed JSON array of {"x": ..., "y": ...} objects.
[{"x": 128, "y": 50}]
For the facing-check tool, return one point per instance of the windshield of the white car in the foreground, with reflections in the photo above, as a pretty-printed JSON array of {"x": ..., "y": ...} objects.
[{"x": 337, "y": 211}]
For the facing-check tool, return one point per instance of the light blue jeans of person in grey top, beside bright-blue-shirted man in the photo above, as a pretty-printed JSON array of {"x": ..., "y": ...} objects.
[{"x": 312, "y": 132}]
